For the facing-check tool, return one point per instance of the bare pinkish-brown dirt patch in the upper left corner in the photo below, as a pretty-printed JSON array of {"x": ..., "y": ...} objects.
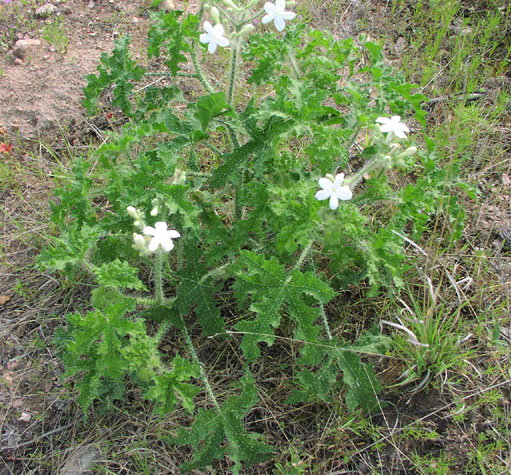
[{"x": 40, "y": 88}]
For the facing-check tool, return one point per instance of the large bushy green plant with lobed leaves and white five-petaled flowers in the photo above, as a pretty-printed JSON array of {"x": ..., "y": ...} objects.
[{"x": 272, "y": 188}]
